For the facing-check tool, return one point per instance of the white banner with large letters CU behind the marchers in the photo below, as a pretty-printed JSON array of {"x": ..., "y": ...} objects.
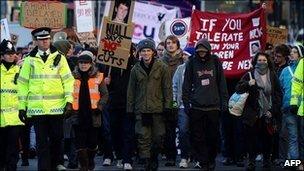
[{"x": 148, "y": 19}]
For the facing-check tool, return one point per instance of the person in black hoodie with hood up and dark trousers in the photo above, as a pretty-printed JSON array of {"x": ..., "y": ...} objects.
[{"x": 204, "y": 96}]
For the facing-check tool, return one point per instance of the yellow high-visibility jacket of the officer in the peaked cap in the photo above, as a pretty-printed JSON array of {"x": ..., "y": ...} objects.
[{"x": 44, "y": 89}]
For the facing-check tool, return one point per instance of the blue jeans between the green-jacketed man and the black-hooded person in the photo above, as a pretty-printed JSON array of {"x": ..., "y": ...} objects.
[{"x": 184, "y": 134}]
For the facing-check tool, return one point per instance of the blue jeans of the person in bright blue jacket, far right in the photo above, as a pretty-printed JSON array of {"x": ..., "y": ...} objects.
[{"x": 291, "y": 125}]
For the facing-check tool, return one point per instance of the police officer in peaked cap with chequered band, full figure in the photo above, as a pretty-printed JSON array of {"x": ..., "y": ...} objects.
[{"x": 45, "y": 89}]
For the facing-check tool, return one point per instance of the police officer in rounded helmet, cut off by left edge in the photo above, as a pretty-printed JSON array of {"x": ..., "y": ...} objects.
[{"x": 9, "y": 122}]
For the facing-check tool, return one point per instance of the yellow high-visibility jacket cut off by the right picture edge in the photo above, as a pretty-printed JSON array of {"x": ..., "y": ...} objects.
[{"x": 297, "y": 92}]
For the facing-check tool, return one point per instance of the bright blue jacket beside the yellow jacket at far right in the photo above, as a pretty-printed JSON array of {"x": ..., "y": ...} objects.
[{"x": 285, "y": 82}]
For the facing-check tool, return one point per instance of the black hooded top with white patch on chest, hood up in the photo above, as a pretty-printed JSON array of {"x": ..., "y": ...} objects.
[{"x": 204, "y": 86}]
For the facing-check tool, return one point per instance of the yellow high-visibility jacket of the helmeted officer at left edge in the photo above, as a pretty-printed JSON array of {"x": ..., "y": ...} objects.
[{"x": 9, "y": 97}]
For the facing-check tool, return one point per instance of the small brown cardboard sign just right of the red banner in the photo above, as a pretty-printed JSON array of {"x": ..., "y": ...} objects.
[{"x": 276, "y": 35}]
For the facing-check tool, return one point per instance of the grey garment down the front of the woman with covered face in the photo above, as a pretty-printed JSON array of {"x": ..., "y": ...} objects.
[{"x": 264, "y": 100}]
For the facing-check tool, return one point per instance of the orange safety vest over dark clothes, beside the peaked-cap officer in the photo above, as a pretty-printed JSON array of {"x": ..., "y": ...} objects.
[{"x": 93, "y": 89}]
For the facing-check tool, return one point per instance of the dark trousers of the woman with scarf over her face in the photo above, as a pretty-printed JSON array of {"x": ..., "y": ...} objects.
[{"x": 258, "y": 135}]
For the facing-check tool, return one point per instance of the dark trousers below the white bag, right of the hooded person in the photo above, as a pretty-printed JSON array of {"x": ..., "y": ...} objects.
[{"x": 232, "y": 131}]
